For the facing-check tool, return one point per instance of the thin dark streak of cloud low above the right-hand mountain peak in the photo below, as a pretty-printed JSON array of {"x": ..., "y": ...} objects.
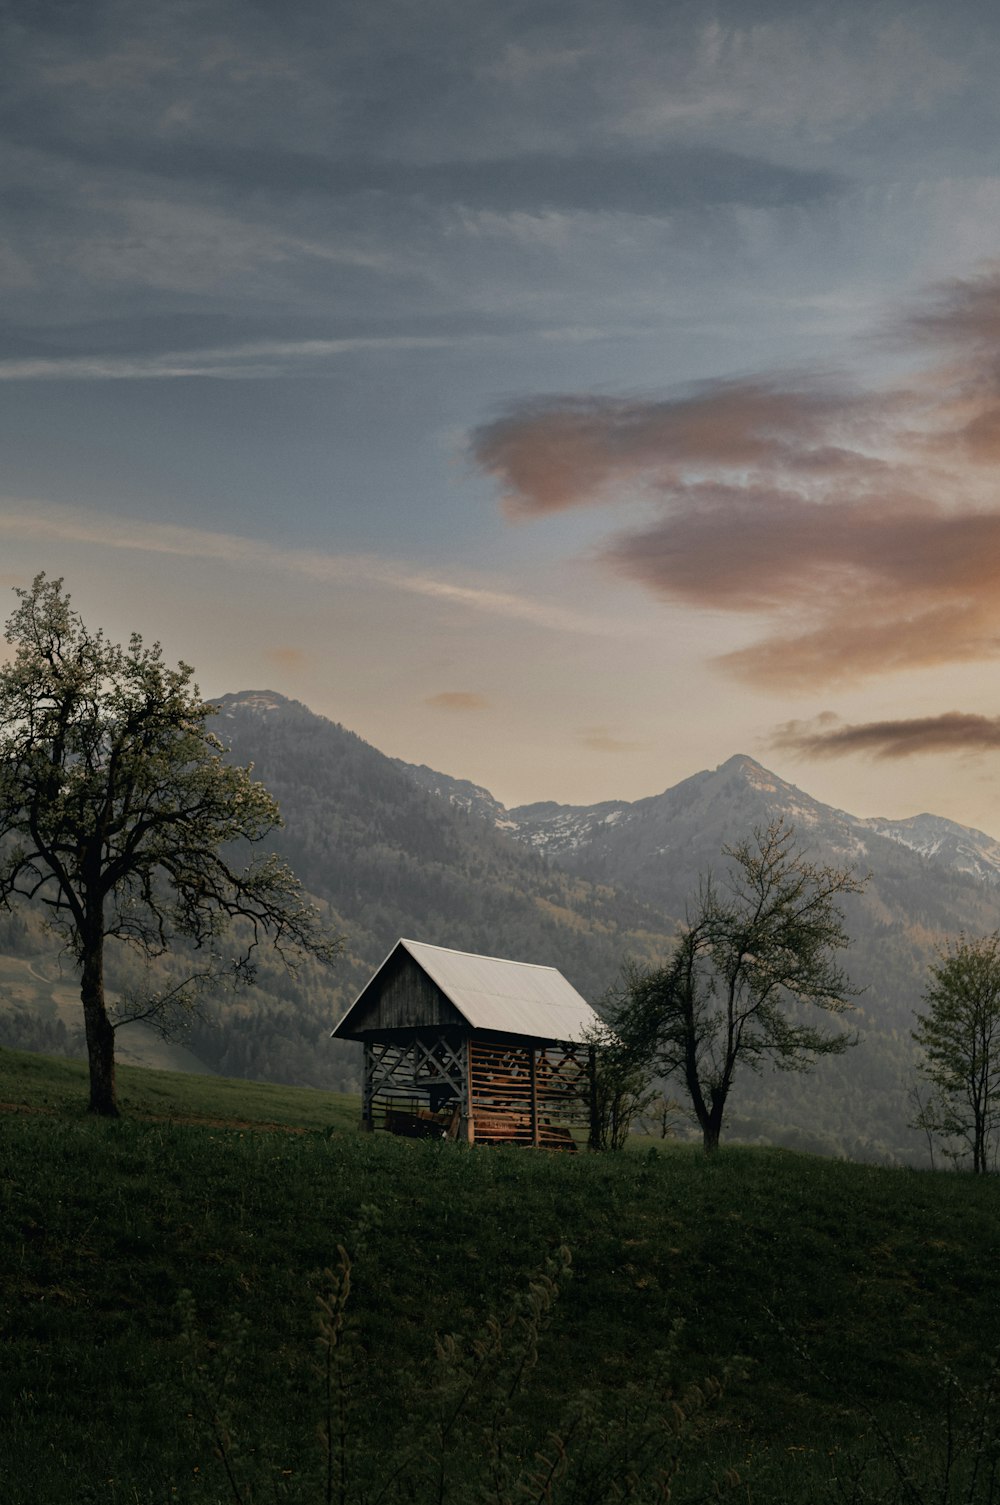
[{"x": 953, "y": 732}]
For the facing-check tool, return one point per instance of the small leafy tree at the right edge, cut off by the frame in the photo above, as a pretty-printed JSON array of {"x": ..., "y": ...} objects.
[{"x": 960, "y": 1038}]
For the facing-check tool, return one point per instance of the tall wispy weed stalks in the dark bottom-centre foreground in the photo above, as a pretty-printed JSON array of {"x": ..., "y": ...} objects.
[{"x": 472, "y": 1431}]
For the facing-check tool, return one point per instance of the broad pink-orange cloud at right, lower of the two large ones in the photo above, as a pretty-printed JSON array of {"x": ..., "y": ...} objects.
[{"x": 864, "y": 583}]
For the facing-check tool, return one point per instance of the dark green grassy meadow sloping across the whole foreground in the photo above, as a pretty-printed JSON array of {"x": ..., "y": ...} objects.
[{"x": 160, "y": 1282}]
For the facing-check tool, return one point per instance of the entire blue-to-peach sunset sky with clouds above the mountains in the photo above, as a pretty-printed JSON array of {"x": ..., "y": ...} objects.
[{"x": 567, "y": 395}]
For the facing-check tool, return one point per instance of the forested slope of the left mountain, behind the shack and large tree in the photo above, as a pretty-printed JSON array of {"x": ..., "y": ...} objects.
[{"x": 385, "y": 860}]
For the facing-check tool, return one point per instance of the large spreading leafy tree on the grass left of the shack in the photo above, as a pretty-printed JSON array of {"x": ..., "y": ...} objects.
[{"x": 118, "y": 813}]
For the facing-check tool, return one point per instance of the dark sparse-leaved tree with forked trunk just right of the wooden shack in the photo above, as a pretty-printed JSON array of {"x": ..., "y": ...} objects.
[{"x": 743, "y": 967}]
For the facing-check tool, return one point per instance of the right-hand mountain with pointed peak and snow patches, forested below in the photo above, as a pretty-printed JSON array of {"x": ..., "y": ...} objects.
[{"x": 930, "y": 880}]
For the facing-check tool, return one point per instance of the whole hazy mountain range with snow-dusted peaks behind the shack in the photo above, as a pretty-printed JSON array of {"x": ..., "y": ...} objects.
[{"x": 391, "y": 850}]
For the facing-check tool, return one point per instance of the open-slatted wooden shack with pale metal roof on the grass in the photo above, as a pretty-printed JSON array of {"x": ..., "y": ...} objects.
[{"x": 474, "y": 1047}]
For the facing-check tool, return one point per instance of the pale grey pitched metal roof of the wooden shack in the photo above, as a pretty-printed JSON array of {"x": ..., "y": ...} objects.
[{"x": 498, "y": 996}]
